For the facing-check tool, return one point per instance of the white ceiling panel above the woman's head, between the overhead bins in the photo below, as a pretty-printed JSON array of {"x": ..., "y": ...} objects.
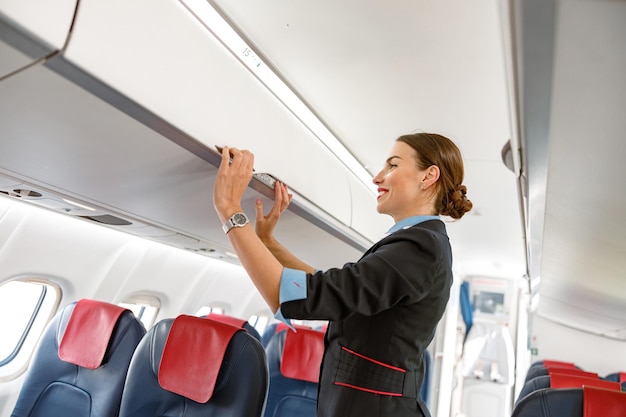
[{"x": 375, "y": 70}]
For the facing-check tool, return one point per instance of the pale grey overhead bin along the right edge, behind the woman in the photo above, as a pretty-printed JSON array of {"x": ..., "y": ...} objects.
[{"x": 584, "y": 233}]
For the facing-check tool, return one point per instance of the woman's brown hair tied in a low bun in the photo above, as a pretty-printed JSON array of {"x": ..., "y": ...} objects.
[{"x": 434, "y": 149}]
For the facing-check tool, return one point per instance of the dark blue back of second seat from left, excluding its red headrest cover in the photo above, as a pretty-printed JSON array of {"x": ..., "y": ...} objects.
[{"x": 240, "y": 389}]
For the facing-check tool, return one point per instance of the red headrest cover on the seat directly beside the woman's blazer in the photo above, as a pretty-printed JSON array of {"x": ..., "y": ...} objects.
[{"x": 302, "y": 355}]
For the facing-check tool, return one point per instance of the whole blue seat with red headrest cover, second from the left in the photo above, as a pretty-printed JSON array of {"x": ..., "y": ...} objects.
[{"x": 190, "y": 366}]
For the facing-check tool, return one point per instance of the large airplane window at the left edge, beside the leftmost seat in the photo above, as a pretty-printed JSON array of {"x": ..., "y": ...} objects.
[{"x": 25, "y": 308}]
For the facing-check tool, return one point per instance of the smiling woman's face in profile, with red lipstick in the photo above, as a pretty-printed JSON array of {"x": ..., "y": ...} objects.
[{"x": 399, "y": 184}]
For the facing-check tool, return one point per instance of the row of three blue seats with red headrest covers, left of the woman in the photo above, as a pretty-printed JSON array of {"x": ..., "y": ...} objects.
[{"x": 95, "y": 359}]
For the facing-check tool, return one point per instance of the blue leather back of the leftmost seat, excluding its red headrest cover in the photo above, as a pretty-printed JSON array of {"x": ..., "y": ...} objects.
[{"x": 54, "y": 387}]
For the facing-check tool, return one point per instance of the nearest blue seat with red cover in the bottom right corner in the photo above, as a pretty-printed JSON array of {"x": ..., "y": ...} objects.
[{"x": 572, "y": 402}]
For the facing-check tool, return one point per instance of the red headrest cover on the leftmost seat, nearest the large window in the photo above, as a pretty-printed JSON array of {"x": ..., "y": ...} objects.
[{"x": 88, "y": 332}]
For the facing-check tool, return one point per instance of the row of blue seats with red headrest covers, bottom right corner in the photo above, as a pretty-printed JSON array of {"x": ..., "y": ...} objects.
[{"x": 556, "y": 388}]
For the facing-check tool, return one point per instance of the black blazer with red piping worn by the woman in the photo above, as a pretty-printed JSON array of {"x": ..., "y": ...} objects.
[{"x": 383, "y": 311}]
